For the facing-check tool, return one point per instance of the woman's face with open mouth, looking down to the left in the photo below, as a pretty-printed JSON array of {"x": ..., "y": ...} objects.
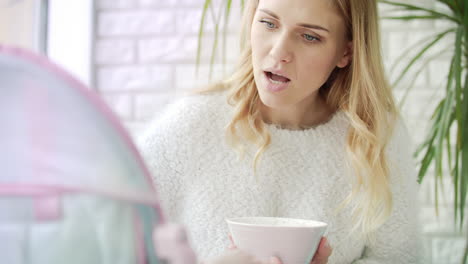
[{"x": 296, "y": 44}]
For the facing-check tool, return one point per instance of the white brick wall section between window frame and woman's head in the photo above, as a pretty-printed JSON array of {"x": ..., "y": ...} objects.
[{"x": 145, "y": 54}]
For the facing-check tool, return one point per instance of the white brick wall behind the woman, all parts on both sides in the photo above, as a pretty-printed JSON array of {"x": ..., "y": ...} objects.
[{"x": 145, "y": 54}]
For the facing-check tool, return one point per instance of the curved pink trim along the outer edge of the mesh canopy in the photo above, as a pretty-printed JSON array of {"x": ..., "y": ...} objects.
[{"x": 45, "y": 62}]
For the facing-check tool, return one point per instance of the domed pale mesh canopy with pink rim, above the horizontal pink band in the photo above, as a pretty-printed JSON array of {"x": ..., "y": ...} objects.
[{"x": 56, "y": 133}]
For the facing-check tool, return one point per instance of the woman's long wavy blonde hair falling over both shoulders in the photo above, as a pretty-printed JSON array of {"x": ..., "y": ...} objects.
[{"x": 360, "y": 90}]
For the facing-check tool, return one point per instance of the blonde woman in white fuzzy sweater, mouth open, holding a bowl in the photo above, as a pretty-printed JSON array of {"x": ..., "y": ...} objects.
[{"x": 313, "y": 119}]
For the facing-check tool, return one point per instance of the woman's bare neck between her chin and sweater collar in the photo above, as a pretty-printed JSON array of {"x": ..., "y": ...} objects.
[{"x": 310, "y": 112}]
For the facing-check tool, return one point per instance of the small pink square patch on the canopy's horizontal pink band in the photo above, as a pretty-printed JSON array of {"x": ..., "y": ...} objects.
[{"x": 47, "y": 208}]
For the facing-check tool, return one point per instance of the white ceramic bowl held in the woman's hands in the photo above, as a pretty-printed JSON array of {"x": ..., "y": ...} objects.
[{"x": 294, "y": 241}]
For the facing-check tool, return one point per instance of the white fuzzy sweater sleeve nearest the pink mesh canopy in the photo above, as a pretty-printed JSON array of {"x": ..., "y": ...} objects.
[{"x": 165, "y": 148}]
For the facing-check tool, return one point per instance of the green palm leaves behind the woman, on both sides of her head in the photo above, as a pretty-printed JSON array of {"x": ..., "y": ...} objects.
[{"x": 440, "y": 149}]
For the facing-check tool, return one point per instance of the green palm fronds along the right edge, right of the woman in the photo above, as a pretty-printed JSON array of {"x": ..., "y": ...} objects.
[{"x": 452, "y": 111}]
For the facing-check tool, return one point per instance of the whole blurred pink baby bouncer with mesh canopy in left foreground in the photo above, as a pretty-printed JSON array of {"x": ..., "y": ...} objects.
[{"x": 73, "y": 188}]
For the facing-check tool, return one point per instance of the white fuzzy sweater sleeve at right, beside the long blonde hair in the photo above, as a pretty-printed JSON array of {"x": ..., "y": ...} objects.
[{"x": 398, "y": 240}]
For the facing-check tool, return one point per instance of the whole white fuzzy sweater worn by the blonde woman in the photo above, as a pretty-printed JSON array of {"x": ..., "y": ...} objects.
[{"x": 302, "y": 174}]
